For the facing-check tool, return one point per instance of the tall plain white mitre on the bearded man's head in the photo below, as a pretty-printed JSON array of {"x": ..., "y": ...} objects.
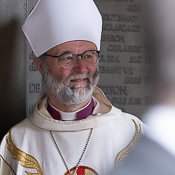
[{"x": 53, "y": 22}]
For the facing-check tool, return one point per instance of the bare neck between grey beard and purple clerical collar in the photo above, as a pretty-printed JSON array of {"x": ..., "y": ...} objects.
[{"x": 62, "y": 107}]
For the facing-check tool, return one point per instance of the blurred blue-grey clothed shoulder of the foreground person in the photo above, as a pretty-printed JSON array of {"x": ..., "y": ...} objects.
[{"x": 147, "y": 158}]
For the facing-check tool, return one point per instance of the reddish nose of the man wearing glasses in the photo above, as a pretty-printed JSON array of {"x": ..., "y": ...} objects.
[{"x": 80, "y": 66}]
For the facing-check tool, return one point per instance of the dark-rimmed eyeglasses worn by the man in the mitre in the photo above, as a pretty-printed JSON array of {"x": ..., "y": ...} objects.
[{"x": 68, "y": 60}]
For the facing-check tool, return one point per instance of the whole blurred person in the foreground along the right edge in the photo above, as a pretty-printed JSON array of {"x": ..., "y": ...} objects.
[{"x": 154, "y": 154}]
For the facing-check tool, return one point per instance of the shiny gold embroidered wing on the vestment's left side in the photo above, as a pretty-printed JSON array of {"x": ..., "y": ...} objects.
[{"x": 27, "y": 161}]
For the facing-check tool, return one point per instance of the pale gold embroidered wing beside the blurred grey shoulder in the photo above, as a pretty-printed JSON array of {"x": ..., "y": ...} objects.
[{"x": 124, "y": 152}]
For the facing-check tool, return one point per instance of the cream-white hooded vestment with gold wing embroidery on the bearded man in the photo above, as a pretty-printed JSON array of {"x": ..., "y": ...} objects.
[{"x": 28, "y": 147}]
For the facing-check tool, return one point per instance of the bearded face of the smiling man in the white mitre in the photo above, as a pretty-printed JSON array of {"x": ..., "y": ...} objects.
[{"x": 70, "y": 86}]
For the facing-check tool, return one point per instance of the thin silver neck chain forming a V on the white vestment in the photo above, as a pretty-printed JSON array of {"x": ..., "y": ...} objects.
[{"x": 59, "y": 151}]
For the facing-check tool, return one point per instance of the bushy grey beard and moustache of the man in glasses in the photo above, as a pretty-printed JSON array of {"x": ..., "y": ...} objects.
[{"x": 70, "y": 95}]
